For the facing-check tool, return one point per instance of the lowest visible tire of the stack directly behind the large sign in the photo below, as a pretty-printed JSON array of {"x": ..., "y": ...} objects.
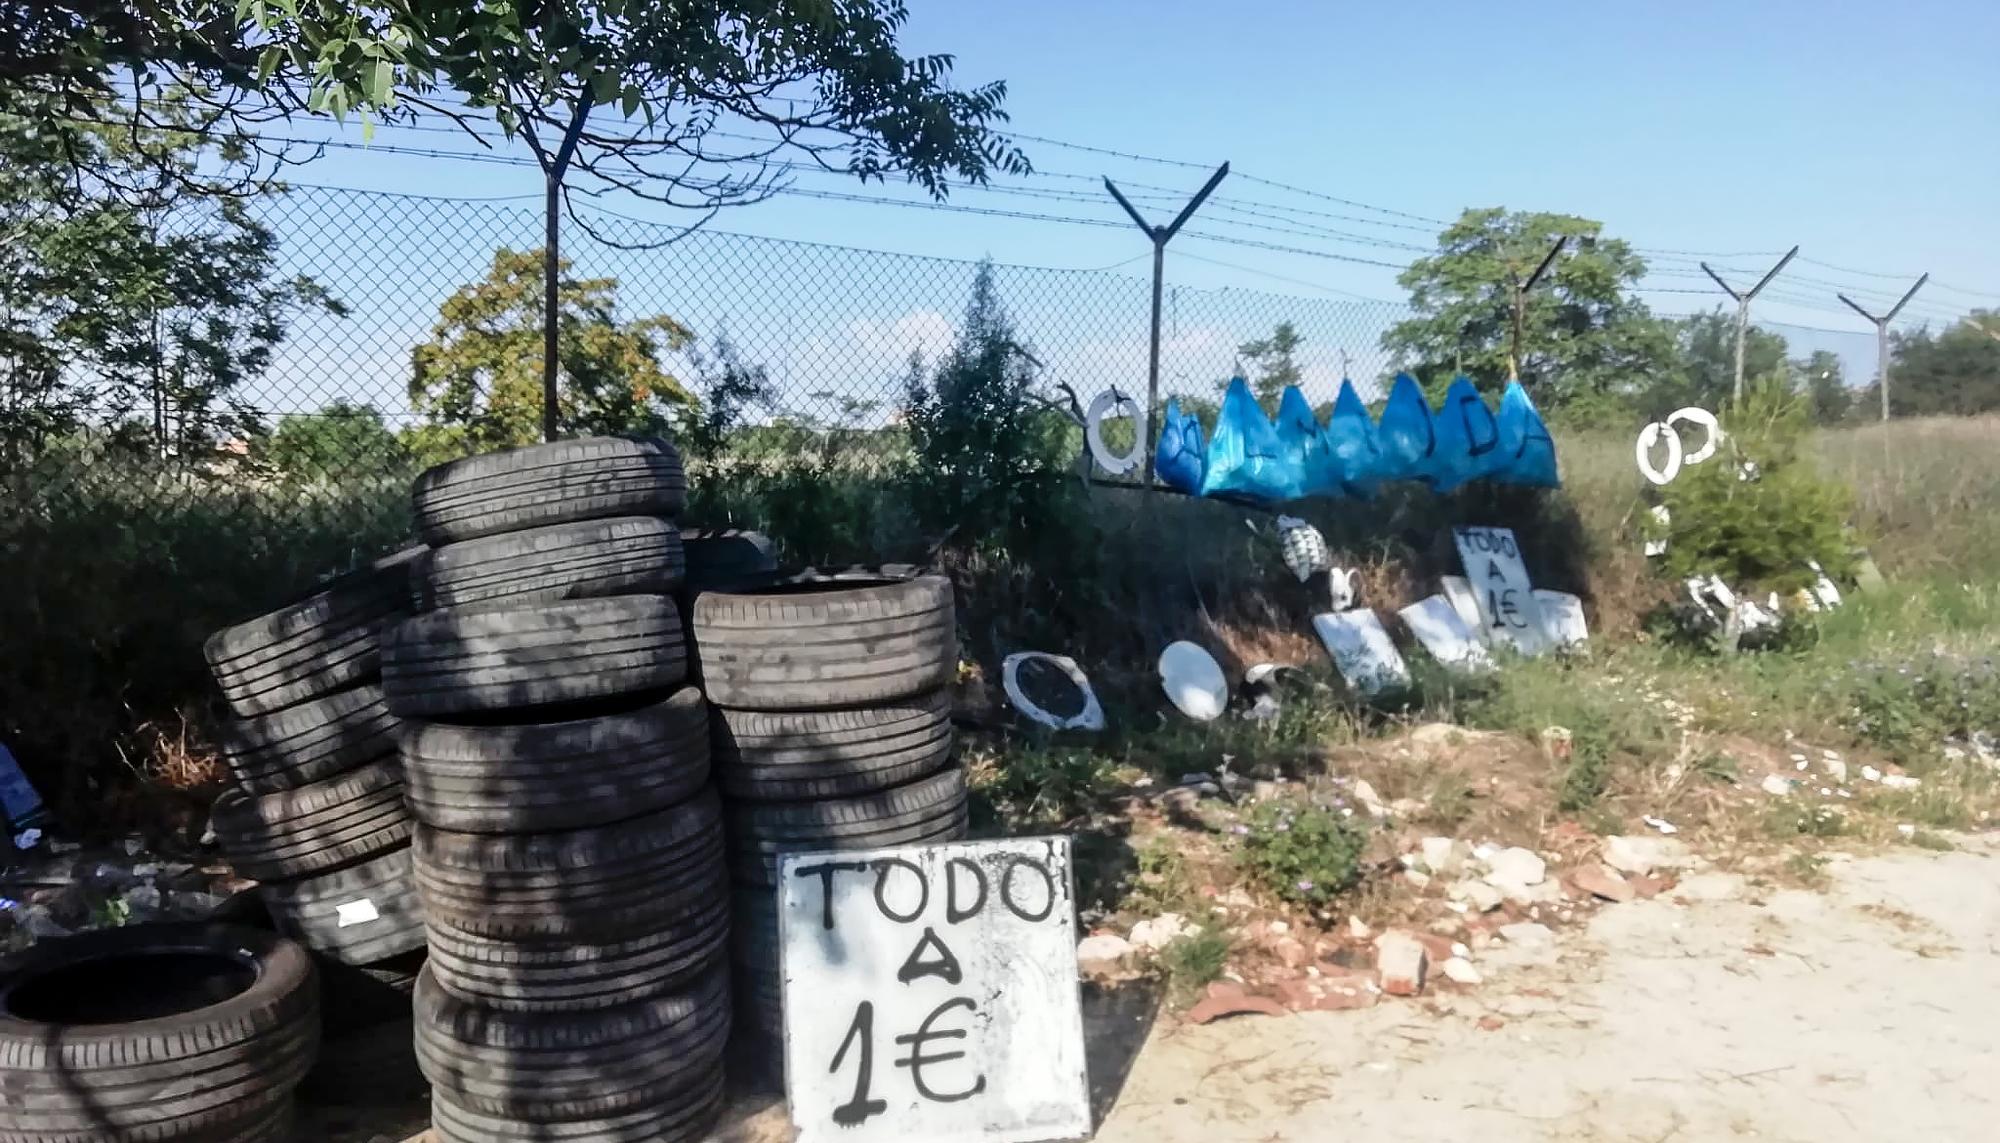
[{"x": 917, "y": 814}]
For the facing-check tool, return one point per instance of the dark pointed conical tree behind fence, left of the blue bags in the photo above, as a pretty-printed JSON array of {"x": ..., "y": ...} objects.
[{"x": 989, "y": 457}]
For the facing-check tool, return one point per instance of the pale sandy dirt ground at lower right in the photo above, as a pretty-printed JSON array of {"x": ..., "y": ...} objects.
[{"x": 1863, "y": 1012}]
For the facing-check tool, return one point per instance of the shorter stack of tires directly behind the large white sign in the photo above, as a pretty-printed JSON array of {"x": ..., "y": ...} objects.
[{"x": 833, "y": 732}]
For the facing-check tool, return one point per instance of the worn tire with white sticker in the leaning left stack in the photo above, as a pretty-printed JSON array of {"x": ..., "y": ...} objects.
[{"x": 331, "y": 914}]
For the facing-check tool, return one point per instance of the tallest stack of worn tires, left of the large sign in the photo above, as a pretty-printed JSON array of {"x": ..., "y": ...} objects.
[{"x": 569, "y": 846}]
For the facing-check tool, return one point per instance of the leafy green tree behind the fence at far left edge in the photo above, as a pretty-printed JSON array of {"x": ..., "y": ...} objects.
[{"x": 141, "y": 315}]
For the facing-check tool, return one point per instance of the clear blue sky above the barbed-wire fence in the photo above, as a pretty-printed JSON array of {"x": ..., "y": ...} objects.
[{"x": 1861, "y": 133}]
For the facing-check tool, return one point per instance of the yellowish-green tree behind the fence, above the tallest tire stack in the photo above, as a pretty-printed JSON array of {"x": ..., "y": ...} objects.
[{"x": 481, "y": 373}]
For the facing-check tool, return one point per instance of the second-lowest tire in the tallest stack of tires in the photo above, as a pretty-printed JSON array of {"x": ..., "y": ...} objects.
[{"x": 555, "y": 1068}]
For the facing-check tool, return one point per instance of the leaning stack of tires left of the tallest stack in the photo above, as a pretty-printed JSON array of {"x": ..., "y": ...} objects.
[{"x": 317, "y": 812}]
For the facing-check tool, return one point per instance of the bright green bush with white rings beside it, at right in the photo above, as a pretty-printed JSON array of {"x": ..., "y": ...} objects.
[{"x": 1759, "y": 533}]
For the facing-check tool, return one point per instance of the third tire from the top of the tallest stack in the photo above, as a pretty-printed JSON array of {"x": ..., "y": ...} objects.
[{"x": 461, "y": 662}]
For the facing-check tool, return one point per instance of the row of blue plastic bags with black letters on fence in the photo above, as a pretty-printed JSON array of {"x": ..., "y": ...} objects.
[{"x": 1351, "y": 455}]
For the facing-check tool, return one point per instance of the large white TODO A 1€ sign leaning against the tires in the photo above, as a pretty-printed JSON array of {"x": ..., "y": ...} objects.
[{"x": 931, "y": 994}]
